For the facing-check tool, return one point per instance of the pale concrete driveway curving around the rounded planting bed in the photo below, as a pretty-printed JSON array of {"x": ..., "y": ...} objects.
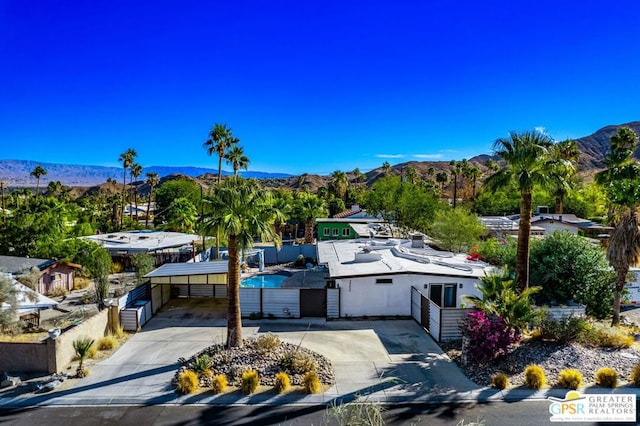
[{"x": 386, "y": 361}]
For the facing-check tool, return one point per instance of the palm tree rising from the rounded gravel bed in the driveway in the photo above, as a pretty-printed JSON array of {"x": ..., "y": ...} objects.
[{"x": 242, "y": 210}]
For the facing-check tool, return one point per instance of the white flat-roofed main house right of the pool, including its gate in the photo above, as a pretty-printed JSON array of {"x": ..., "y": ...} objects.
[{"x": 402, "y": 278}]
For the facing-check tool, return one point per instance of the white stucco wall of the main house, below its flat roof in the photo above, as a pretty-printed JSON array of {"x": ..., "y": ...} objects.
[{"x": 362, "y": 296}]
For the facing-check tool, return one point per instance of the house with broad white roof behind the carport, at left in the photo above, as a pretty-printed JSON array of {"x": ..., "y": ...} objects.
[{"x": 166, "y": 247}]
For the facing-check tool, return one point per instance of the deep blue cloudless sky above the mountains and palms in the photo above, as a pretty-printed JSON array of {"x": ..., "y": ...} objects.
[{"x": 308, "y": 86}]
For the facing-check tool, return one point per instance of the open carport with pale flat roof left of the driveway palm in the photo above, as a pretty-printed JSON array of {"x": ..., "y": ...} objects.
[{"x": 187, "y": 280}]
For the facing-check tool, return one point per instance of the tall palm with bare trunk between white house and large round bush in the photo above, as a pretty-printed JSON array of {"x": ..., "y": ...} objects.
[{"x": 527, "y": 164}]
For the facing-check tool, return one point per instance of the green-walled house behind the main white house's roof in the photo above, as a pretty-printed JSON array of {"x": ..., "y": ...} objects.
[{"x": 350, "y": 228}]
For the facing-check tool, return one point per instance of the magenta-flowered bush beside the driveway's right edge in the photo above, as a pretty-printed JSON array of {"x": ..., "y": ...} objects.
[{"x": 487, "y": 336}]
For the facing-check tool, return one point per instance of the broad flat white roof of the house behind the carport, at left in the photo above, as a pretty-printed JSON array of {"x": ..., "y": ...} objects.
[{"x": 143, "y": 240}]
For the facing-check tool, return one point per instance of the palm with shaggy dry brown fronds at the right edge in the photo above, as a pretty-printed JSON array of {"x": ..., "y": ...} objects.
[{"x": 621, "y": 180}]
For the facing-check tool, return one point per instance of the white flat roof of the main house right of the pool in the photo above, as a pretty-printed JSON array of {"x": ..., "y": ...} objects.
[{"x": 389, "y": 257}]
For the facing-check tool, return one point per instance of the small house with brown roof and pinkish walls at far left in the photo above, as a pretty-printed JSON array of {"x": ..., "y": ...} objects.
[{"x": 53, "y": 274}]
